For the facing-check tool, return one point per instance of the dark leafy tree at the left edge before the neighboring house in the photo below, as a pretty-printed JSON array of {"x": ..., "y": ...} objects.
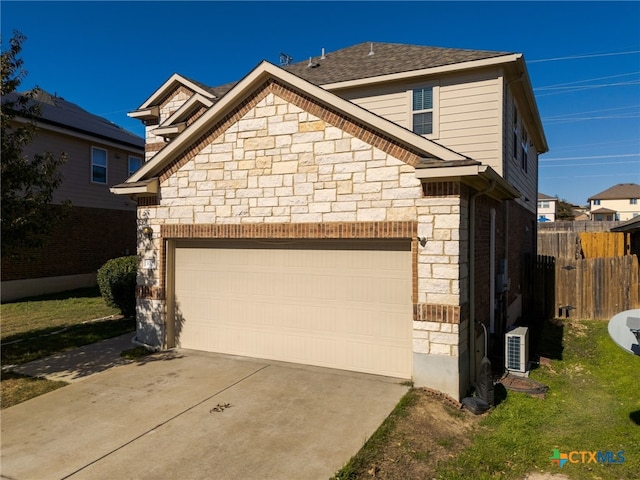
[{"x": 27, "y": 182}]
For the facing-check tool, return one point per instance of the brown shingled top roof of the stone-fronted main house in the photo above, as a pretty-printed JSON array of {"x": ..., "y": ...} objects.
[{"x": 356, "y": 62}]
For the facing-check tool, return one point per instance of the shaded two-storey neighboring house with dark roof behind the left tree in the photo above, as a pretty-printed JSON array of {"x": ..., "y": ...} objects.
[{"x": 100, "y": 226}]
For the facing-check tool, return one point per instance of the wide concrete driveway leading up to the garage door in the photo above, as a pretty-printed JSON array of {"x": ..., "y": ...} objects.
[{"x": 193, "y": 415}]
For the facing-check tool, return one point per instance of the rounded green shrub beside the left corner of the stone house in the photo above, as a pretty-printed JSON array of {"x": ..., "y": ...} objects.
[{"x": 117, "y": 282}]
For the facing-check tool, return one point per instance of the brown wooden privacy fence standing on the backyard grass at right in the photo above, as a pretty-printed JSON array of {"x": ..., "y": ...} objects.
[{"x": 593, "y": 288}]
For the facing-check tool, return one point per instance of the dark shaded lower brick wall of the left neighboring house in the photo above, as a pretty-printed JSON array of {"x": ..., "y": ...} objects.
[{"x": 87, "y": 238}]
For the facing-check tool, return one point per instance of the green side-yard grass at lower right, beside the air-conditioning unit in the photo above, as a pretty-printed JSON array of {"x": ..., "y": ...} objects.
[{"x": 594, "y": 390}]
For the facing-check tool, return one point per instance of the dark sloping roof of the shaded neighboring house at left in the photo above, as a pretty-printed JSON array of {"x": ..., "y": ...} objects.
[{"x": 57, "y": 111}]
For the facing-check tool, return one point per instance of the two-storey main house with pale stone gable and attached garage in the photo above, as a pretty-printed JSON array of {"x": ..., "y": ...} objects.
[{"x": 356, "y": 211}]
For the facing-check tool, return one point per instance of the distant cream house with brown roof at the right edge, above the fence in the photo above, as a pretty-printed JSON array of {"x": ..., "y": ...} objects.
[{"x": 620, "y": 202}]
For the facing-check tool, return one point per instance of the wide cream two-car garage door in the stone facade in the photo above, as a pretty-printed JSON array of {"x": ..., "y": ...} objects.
[{"x": 337, "y": 304}]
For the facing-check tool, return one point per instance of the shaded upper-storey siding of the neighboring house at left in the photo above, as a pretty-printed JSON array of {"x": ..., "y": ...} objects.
[{"x": 77, "y": 185}]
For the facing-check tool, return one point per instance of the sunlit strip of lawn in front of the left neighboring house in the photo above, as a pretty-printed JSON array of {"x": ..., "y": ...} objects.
[{"x": 48, "y": 313}]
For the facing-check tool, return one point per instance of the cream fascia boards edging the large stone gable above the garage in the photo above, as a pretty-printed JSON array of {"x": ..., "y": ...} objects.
[{"x": 267, "y": 70}]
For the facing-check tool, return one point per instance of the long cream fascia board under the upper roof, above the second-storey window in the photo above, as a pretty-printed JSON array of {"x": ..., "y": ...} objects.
[{"x": 455, "y": 67}]
